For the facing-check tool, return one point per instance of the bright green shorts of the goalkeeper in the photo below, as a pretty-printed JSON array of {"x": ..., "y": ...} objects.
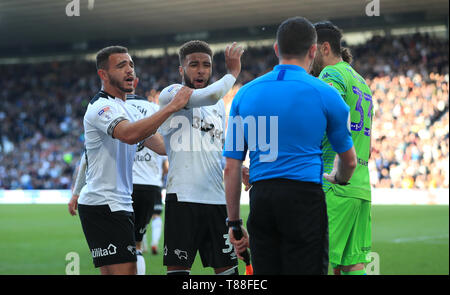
[{"x": 350, "y": 229}]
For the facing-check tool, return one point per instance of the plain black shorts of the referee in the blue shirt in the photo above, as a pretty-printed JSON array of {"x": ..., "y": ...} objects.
[{"x": 288, "y": 228}]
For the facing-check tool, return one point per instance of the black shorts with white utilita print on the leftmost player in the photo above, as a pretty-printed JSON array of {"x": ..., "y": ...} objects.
[{"x": 110, "y": 235}]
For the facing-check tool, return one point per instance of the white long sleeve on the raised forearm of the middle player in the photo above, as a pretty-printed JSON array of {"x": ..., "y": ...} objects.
[{"x": 213, "y": 93}]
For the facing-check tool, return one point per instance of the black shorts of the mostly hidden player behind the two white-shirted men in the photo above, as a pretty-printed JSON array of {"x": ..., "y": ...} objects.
[{"x": 143, "y": 203}]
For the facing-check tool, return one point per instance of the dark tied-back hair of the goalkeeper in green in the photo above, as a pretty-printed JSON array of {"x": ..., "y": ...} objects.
[{"x": 327, "y": 32}]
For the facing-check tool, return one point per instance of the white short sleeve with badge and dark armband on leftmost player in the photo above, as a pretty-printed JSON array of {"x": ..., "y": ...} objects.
[{"x": 105, "y": 115}]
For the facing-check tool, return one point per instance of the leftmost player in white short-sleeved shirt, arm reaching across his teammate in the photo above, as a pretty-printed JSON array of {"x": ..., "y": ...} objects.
[{"x": 112, "y": 129}]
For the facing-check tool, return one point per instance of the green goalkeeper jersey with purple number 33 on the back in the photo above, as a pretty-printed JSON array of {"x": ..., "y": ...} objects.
[{"x": 358, "y": 97}]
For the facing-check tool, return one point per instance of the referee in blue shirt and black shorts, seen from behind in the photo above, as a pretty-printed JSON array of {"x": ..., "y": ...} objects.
[{"x": 287, "y": 223}]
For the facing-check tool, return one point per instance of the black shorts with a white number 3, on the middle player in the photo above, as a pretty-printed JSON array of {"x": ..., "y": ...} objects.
[{"x": 189, "y": 227}]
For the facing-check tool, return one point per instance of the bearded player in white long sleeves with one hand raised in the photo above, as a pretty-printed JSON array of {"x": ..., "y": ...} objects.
[{"x": 195, "y": 203}]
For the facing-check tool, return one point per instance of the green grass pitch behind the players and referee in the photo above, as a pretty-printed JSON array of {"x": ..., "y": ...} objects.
[{"x": 34, "y": 239}]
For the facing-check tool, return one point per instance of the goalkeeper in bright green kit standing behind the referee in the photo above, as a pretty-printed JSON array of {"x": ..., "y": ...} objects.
[{"x": 348, "y": 204}]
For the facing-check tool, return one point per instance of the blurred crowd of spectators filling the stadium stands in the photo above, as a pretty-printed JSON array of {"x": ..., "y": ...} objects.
[{"x": 41, "y": 130}]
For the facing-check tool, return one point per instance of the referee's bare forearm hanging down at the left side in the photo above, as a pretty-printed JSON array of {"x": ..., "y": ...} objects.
[{"x": 232, "y": 179}]
